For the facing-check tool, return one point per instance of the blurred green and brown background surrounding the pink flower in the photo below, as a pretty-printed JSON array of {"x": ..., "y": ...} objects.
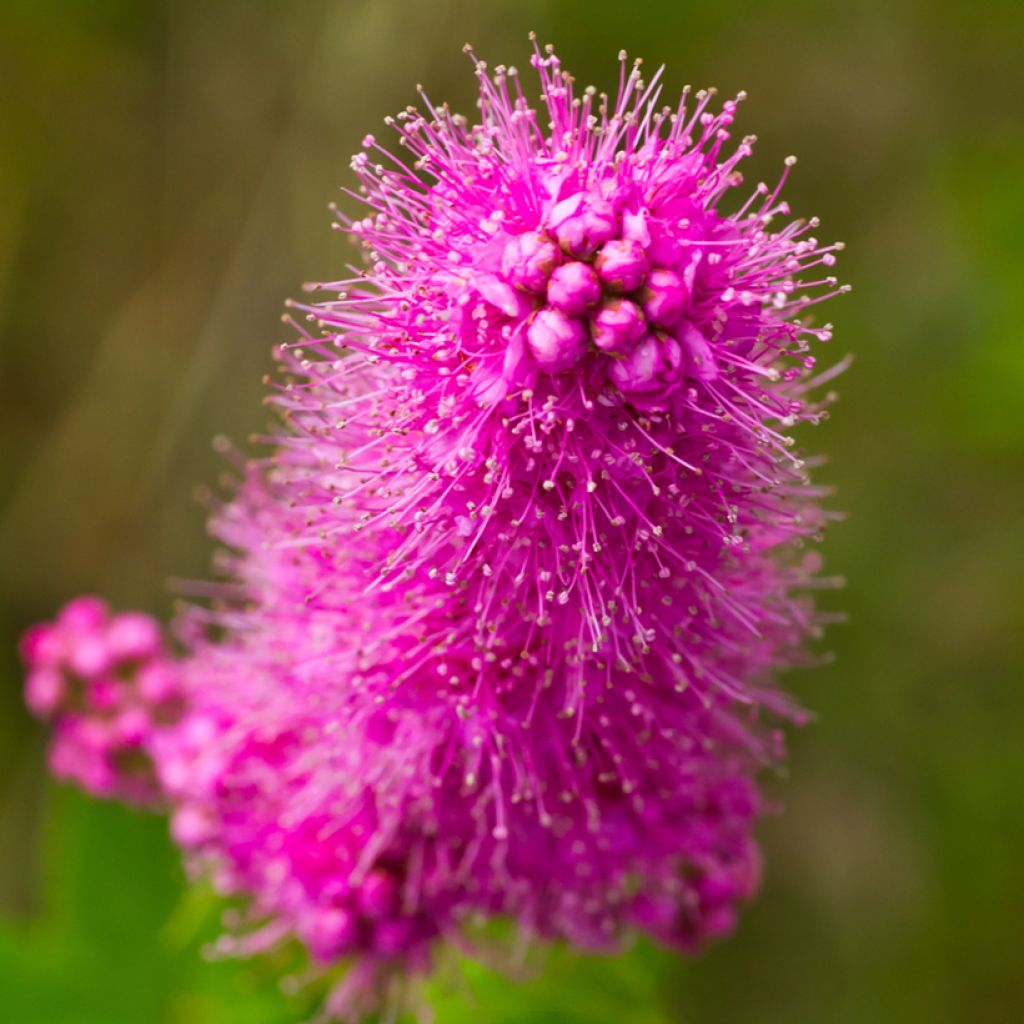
[{"x": 165, "y": 168}]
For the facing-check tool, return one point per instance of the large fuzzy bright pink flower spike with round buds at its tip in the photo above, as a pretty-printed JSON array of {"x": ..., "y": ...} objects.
[{"x": 507, "y": 596}]
